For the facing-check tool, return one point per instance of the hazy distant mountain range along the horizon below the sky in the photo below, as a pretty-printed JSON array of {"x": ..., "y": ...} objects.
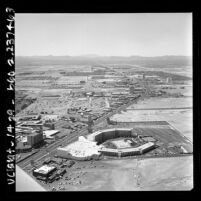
[{"x": 91, "y": 59}]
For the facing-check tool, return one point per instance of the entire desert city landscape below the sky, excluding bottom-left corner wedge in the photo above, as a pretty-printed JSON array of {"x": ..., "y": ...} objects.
[{"x": 128, "y": 121}]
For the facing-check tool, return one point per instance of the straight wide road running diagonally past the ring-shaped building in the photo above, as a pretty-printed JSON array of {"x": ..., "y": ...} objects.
[{"x": 68, "y": 139}]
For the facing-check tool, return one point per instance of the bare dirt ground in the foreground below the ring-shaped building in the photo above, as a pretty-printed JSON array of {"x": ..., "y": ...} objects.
[{"x": 130, "y": 175}]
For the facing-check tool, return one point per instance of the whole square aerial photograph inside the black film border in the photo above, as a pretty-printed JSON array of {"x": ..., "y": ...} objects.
[{"x": 103, "y": 102}]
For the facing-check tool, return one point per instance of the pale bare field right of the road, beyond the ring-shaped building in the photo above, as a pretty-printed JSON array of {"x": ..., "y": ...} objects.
[{"x": 179, "y": 118}]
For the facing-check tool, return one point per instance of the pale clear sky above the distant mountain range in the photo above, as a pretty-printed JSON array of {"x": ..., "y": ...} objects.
[{"x": 142, "y": 34}]
